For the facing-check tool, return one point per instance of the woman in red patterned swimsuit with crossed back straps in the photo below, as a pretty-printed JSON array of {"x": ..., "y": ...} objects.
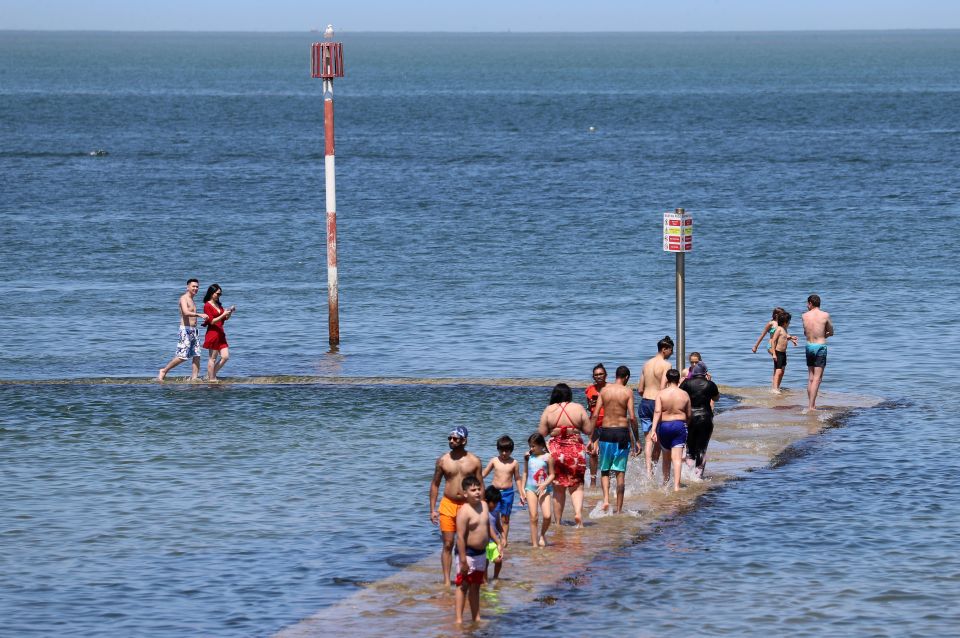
[{"x": 564, "y": 421}]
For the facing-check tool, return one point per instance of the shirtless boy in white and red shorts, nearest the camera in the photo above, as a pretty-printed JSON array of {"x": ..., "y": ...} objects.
[{"x": 473, "y": 534}]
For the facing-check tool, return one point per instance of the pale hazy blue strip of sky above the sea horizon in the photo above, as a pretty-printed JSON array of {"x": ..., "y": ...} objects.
[{"x": 489, "y": 15}]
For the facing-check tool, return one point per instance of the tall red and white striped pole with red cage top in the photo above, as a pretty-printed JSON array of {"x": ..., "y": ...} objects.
[{"x": 327, "y": 63}]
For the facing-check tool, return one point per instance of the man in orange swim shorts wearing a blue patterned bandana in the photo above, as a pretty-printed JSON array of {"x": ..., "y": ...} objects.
[{"x": 453, "y": 466}]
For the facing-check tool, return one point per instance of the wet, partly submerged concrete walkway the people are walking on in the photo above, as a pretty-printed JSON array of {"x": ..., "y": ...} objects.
[{"x": 750, "y": 435}]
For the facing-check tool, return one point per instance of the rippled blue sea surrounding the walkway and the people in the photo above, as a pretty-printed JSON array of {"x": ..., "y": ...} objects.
[{"x": 499, "y": 202}]
